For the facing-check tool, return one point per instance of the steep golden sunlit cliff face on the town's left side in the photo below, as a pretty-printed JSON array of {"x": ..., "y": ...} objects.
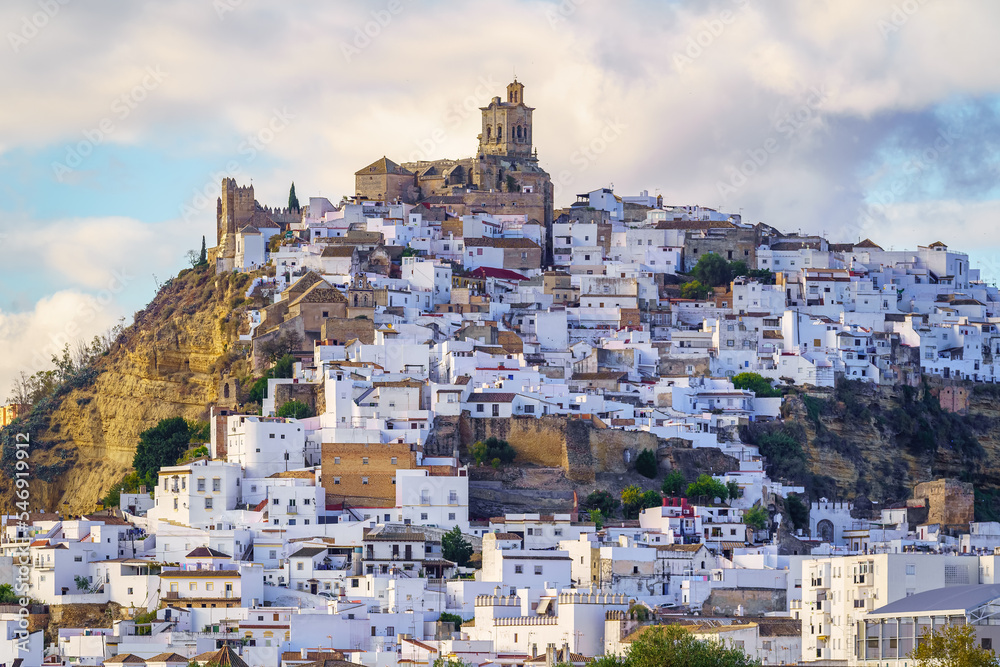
[{"x": 168, "y": 363}]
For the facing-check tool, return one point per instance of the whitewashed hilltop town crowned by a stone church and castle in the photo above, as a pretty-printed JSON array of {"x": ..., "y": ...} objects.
[{"x": 455, "y": 423}]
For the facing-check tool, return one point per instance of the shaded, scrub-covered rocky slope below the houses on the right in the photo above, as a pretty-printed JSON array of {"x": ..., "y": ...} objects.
[{"x": 874, "y": 443}]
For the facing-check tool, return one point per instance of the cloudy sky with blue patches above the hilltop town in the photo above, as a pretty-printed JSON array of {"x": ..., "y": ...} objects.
[{"x": 853, "y": 118}]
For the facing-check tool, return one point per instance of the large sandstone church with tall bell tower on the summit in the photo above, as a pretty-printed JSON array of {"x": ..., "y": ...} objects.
[{"x": 503, "y": 178}]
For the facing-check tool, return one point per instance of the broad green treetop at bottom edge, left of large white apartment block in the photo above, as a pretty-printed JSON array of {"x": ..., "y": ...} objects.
[{"x": 673, "y": 646}]
